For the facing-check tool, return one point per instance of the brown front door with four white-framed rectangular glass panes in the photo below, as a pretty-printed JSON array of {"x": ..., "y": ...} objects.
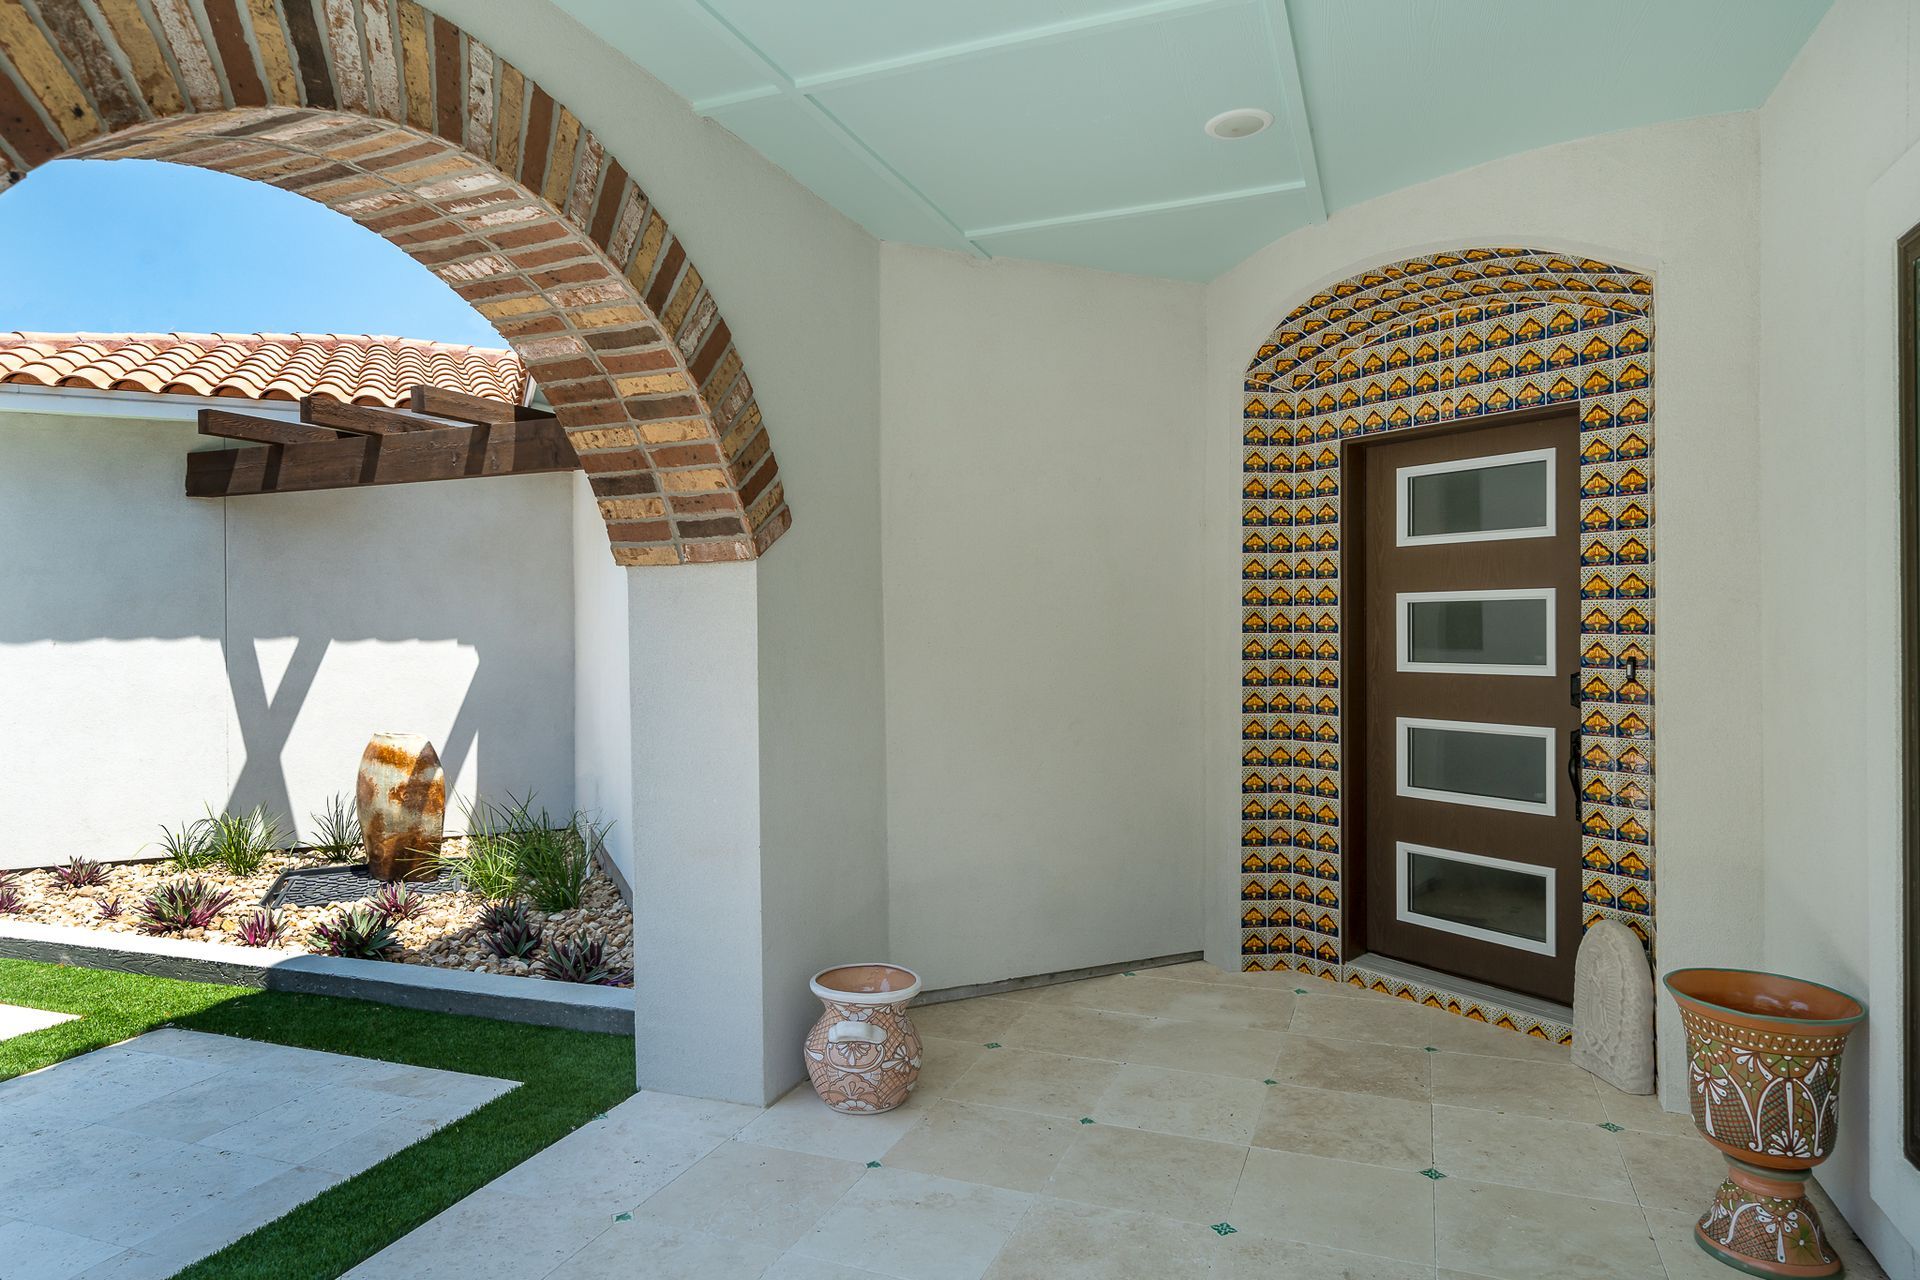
[{"x": 1470, "y": 627}]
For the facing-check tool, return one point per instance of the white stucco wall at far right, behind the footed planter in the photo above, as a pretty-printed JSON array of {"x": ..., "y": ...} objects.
[{"x": 1840, "y": 183}]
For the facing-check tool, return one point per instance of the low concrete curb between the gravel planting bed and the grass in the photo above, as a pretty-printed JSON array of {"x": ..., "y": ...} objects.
[{"x": 412, "y": 987}]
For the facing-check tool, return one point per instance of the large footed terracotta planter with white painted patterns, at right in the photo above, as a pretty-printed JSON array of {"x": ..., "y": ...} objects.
[{"x": 1764, "y": 1078}]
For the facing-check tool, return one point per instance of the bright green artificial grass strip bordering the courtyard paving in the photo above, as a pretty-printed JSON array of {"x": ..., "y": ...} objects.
[{"x": 567, "y": 1078}]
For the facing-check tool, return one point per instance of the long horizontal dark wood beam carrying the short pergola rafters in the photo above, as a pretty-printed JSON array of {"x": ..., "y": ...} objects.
[{"x": 408, "y": 458}]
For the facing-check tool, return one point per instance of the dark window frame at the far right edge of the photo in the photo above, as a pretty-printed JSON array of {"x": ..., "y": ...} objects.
[{"x": 1909, "y": 364}]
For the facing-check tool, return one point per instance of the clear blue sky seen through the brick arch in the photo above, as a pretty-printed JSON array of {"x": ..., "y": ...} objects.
[{"x": 141, "y": 247}]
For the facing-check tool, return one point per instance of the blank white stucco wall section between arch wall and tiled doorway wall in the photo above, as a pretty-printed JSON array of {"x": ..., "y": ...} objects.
[{"x": 1042, "y": 490}]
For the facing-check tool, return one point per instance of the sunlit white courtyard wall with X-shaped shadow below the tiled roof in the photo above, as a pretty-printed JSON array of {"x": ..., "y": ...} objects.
[{"x": 164, "y": 653}]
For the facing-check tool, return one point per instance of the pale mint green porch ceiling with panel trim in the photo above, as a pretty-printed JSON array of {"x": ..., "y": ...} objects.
[{"x": 1070, "y": 131}]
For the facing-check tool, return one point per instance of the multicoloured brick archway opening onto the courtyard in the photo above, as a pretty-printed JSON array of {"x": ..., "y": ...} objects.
[{"x": 402, "y": 122}]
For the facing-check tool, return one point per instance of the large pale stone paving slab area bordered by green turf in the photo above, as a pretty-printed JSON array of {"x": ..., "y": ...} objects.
[{"x": 135, "y": 1160}]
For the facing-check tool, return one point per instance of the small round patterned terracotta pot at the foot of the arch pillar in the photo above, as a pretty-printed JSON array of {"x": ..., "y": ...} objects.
[{"x": 863, "y": 1055}]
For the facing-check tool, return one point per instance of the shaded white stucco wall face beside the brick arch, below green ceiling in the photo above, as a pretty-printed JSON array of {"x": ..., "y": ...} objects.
[{"x": 800, "y": 287}]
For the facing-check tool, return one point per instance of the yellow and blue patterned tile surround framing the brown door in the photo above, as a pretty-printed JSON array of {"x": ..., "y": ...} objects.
[{"x": 1439, "y": 339}]
